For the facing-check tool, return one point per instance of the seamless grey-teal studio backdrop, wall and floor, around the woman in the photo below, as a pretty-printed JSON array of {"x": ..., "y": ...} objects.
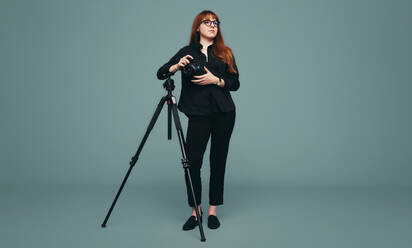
[{"x": 324, "y": 102}]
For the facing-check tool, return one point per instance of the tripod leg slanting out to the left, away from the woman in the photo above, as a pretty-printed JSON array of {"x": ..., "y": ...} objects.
[{"x": 136, "y": 156}]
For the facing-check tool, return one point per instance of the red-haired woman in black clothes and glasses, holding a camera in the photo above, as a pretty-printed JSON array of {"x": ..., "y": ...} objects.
[{"x": 207, "y": 102}]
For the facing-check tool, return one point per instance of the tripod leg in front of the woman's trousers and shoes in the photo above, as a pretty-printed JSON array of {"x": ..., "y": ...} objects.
[{"x": 186, "y": 164}]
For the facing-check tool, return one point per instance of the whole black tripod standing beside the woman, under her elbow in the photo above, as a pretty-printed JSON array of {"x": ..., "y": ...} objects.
[{"x": 171, "y": 101}]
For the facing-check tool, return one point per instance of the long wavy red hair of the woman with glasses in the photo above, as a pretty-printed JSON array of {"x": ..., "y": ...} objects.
[{"x": 220, "y": 49}]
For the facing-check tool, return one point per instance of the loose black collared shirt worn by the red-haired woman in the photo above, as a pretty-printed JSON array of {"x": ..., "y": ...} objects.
[{"x": 204, "y": 99}]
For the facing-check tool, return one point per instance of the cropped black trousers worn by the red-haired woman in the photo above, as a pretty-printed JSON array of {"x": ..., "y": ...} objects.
[{"x": 219, "y": 127}]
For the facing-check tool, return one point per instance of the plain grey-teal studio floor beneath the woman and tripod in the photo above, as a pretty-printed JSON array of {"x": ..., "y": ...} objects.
[{"x": 252, "y": 216}]
